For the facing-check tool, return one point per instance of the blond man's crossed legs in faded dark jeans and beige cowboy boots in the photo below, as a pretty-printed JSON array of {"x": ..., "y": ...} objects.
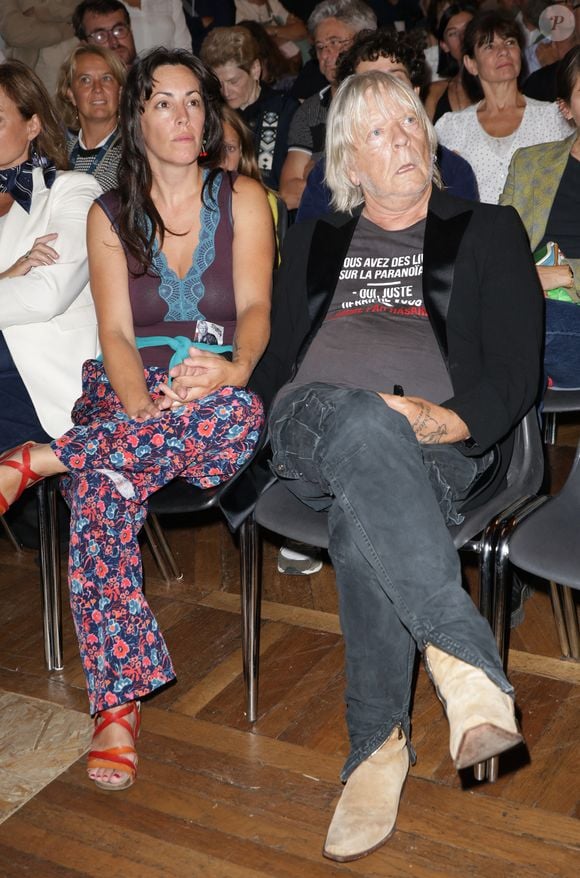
[{"x": 398, "y": 576}]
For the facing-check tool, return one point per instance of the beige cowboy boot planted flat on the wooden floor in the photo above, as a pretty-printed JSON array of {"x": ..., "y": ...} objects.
[{"x": 367, "y": 809}]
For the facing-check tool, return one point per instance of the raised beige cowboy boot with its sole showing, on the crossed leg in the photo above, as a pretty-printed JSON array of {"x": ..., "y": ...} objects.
[{"x": 481, "y": 717}]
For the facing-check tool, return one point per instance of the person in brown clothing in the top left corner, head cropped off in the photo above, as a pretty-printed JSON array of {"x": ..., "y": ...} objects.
[{"x": 39, "y": 34}]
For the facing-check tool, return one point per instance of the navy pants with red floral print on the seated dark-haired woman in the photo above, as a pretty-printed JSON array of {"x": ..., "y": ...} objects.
[{"x": 114, "y": 464}]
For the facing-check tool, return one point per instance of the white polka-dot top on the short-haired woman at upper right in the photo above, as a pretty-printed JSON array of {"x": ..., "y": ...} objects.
[{"x": 490, "y": 156}]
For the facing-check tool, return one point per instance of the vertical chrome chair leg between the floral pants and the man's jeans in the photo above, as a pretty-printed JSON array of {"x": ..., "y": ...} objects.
[{"x": 251, "y": 580}]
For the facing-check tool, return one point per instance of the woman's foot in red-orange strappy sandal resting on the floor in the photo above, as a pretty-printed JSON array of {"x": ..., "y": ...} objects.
[{"x": 112, "y": 762}]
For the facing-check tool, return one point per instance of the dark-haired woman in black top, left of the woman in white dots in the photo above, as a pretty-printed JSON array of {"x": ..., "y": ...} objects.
[{"x": 448, "y": 95}]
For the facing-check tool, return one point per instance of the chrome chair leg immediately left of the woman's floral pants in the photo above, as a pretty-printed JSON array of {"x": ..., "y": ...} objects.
[{"x": 50, "y": 573}]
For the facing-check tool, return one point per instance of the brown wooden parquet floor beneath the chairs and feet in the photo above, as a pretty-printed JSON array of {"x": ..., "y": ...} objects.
[{"x": 216, "y": 797}]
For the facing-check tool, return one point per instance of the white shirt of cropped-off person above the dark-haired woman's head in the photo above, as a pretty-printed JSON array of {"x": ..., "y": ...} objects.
[{"x": 159, "y": 23}]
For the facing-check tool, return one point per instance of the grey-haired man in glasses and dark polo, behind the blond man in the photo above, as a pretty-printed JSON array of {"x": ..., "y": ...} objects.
[{"x": 333, "y": 26}]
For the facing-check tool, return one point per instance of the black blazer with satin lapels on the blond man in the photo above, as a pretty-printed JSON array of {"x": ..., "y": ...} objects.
[{"x": 483, "y": 298}]
